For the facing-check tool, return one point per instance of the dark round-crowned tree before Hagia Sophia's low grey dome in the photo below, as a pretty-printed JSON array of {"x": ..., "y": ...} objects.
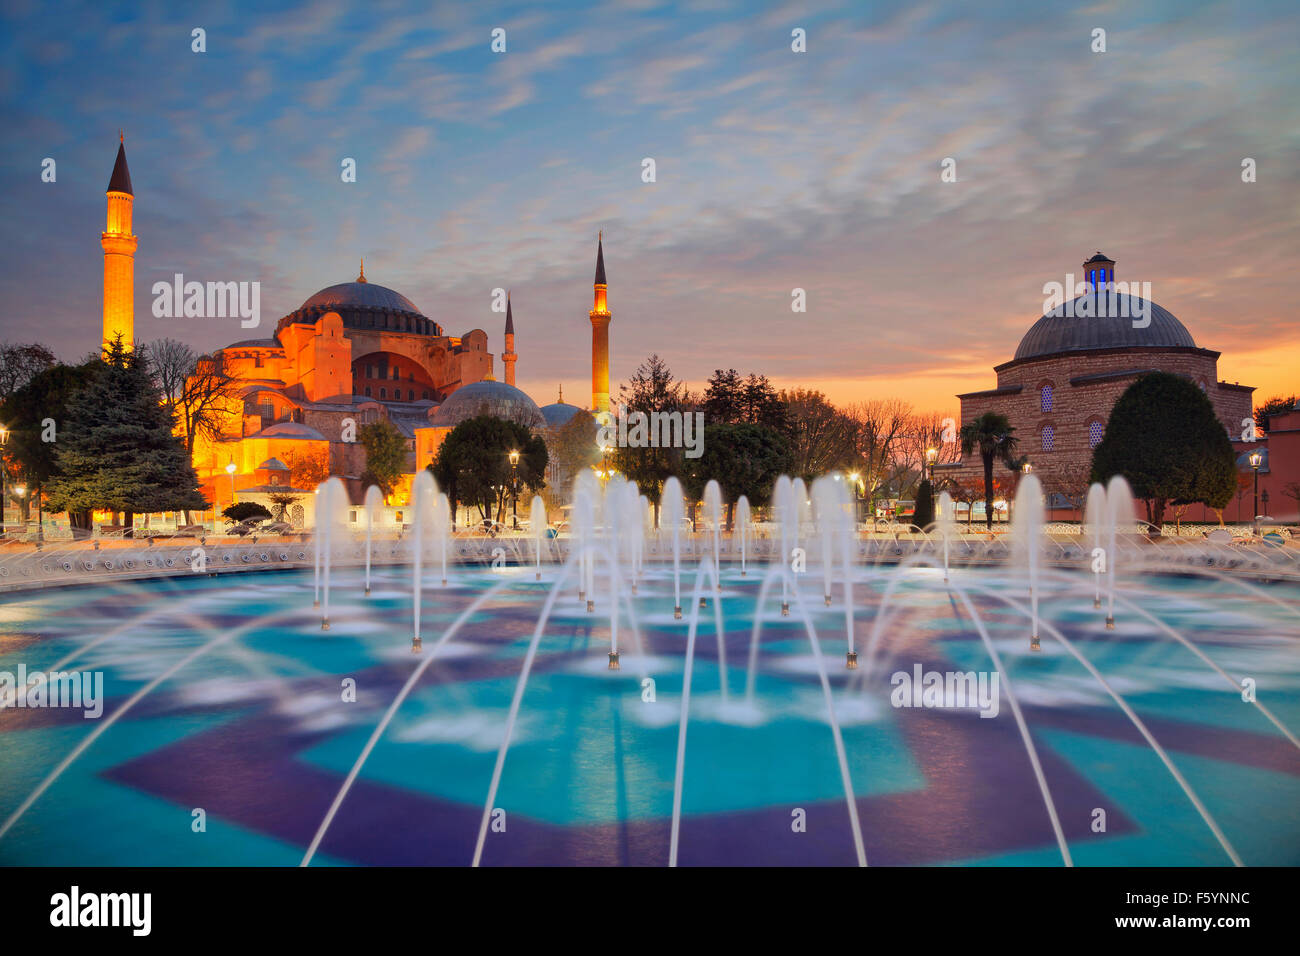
[{"x": 474, "y": 464}]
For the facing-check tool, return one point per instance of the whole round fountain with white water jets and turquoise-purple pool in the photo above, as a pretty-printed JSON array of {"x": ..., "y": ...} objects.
[{"x": 590, "y": 747}]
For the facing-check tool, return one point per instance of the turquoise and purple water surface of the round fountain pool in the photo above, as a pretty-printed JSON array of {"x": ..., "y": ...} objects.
[{"x": 237, "y": 706}]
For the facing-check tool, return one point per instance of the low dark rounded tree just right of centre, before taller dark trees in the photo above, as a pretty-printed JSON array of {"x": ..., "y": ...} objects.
[{"x": 743, "y": 460}]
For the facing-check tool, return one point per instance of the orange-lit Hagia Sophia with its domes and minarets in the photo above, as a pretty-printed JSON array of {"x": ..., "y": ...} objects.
[{"x": 354, "y": 352}]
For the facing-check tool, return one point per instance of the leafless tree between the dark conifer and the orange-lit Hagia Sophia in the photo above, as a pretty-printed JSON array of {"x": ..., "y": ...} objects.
[{"x": 198, "y": 391}]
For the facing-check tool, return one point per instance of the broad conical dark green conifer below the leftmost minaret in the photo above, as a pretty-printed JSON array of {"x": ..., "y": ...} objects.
[{"x": 118, "y": 451}]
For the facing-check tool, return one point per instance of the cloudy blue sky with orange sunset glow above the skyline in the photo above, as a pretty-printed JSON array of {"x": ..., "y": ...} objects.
[{"x": 774, "y": 171}]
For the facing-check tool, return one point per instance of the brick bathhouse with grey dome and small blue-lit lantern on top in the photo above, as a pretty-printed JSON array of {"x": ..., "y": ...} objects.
[{"x": 1069, "y": 370}]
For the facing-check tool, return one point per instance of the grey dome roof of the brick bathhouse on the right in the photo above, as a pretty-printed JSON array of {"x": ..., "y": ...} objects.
[{"x": 1064, "y": 331}]
